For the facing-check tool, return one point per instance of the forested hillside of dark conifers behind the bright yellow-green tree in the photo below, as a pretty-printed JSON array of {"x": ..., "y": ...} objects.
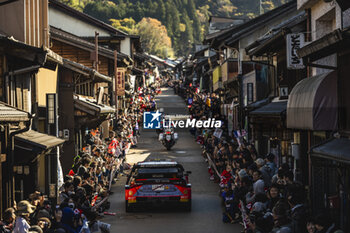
[{"x": 185, "y": 20}]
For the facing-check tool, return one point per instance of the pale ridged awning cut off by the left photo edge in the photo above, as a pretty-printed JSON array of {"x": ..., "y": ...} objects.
[{"x": 11, "y": 114}]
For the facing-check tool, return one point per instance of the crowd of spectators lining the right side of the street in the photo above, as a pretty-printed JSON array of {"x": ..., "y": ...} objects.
[{"x": 256, "y": 192}]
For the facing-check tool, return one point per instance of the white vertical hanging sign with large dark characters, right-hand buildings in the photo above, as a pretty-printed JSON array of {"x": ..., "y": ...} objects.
[{"x": 294, "y": 42}]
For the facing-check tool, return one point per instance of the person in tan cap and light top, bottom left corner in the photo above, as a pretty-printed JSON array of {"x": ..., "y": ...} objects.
[{"x": 24, "y": 210}]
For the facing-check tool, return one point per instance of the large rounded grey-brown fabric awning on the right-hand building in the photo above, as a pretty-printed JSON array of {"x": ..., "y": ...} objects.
[{"x": 312, "y": 104}]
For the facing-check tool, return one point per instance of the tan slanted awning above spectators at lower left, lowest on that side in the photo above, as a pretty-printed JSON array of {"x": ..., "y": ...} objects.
[{"x": 39, "y": 140}]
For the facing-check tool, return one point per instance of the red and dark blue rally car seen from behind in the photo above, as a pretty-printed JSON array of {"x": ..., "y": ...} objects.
[{"x": 157, "y": 183}]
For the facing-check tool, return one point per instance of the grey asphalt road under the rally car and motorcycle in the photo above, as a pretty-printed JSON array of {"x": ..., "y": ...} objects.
[{"x": 206, "y": 214}]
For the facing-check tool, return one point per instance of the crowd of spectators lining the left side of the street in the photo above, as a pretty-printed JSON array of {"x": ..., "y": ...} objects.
[{"x": 83, "y": 197}]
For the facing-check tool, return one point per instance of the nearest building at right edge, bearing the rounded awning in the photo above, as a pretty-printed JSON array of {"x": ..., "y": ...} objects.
[{"x": 325, "y": 91}]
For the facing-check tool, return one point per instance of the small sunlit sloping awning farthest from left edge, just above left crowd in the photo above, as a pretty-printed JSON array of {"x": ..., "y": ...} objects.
[{"x": 90, "y": 106}]
